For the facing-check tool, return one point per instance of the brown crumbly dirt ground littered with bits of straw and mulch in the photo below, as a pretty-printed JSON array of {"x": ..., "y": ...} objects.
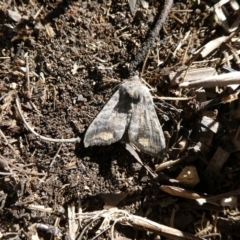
[{"x": 77, "y": 52}]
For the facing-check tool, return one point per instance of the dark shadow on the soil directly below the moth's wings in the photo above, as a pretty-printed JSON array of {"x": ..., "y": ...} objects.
[{"x": 114, "y": 162}]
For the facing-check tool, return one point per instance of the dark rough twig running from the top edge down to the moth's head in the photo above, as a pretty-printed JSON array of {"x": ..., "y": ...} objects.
[{"x": 152, "y": 36}]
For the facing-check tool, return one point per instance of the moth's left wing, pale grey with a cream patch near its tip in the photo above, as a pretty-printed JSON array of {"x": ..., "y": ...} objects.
[{"x": 111, "y": 122}]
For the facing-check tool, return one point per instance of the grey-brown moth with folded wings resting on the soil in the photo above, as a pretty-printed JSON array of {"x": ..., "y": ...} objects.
[{"x": 128, "y": 116}]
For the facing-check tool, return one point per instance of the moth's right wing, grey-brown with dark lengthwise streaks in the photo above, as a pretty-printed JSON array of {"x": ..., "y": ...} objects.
[{"x": 145, "y": 131}]
